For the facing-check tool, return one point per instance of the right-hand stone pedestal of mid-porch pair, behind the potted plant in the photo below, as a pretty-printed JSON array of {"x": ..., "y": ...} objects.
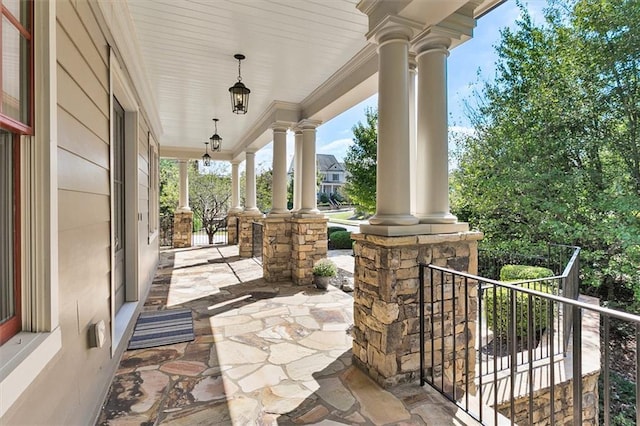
[{"x": 309, "y": 244}]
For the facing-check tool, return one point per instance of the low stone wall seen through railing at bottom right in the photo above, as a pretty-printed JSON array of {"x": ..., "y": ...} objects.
[{"x": 563, "y": 404}]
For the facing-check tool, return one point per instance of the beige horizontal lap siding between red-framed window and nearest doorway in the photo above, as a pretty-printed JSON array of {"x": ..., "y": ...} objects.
[{"x": 70, "y": 389}]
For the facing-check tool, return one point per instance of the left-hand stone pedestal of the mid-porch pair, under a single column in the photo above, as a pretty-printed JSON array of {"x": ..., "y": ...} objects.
[{"x": 276, "y": 249}]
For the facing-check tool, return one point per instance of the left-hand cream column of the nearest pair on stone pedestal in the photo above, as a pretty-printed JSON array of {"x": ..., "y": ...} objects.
[{"x": 393, "y": 204}]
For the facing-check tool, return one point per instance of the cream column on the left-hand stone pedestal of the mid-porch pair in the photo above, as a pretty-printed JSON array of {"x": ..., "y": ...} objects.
[{"x": 279, "y": 184}]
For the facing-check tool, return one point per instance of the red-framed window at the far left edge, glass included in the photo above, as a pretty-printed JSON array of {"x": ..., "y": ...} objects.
[{"x": 16, "y": 118}]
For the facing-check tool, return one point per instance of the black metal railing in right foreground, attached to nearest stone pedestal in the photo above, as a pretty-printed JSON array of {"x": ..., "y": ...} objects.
[{"x": 469, "y": 374}]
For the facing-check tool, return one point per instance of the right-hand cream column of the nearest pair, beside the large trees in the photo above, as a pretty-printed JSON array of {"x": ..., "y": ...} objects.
[{"x": 432, "y": 201}]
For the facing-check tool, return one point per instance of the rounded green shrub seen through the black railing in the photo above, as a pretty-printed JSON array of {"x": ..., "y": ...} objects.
[{"x": 539, "y": 308}]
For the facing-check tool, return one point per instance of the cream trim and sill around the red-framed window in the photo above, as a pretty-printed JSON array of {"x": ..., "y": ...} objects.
[{"x": 27, "y": 354}]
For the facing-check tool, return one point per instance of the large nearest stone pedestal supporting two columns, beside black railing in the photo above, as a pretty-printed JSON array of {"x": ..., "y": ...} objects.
[{"x": 386, "y": 334}]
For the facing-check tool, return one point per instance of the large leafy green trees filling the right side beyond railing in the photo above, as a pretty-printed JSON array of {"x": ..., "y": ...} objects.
[{"x": 554, "y": 153}]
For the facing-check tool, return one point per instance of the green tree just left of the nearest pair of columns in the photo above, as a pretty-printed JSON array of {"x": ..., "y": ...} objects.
[{"x": 361, "y": 164}]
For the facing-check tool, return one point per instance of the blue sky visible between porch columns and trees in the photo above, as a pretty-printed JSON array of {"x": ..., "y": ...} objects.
[{"x": 468, "y": 65}]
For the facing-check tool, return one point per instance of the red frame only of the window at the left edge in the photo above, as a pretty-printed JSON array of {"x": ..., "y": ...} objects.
[{"x": 13, "y": 325}]
